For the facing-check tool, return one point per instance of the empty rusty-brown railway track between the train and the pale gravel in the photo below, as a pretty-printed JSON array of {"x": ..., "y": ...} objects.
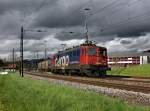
[{"x": 129, "y": 85}]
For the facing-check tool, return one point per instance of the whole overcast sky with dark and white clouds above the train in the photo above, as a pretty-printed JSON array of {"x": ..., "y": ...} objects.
[{"x": 119, "y": 25}]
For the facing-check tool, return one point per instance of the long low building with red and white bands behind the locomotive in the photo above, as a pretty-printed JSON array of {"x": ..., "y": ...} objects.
[{"x": 128, "y": 58}]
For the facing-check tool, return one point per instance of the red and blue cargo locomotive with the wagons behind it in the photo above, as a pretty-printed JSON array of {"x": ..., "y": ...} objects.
[{"x": 86, "y": 59}]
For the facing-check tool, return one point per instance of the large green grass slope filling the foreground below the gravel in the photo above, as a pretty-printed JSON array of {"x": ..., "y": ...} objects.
[{"x": 23, "y": 94}]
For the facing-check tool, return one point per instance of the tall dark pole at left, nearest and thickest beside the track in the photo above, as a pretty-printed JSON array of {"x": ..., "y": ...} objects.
[{"x": 21, "y": 51}]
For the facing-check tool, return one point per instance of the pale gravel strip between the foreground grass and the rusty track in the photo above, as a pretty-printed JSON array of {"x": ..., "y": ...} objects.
[{"x": 129, "y": 96}]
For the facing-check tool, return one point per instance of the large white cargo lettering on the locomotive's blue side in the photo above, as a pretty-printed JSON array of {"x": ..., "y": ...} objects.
[{"x": 62, "y": 61}]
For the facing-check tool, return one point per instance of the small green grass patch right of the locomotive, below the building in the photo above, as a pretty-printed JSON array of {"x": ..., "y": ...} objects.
[{"x": 143, "y": 70}]
